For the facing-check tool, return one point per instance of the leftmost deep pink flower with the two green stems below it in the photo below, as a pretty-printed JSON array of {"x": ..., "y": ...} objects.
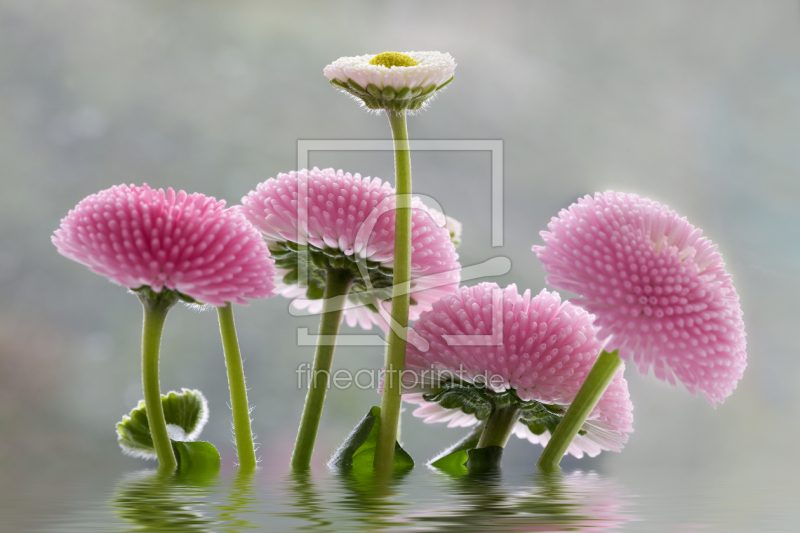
[{"x": 171, "y": 247}]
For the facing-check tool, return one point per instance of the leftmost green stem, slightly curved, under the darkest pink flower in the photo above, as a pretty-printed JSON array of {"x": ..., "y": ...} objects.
[{"x": 155, "y": 313}]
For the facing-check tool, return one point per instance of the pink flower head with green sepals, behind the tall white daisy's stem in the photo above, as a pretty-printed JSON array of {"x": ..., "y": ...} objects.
[{"x": 346, "y": 221}]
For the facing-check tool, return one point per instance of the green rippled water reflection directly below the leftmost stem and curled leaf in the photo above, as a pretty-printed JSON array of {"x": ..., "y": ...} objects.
[{"x": 153, "y": 501}]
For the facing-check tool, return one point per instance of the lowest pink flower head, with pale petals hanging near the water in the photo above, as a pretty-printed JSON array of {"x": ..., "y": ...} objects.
[{"x": 536, "y": 347}]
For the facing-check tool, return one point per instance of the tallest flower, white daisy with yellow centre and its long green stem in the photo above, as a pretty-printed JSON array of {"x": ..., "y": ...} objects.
[{"x": 396, "y": 83}]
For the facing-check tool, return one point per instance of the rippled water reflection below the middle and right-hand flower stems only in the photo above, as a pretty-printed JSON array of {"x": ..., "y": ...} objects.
[{"x": 473, "y": 502}]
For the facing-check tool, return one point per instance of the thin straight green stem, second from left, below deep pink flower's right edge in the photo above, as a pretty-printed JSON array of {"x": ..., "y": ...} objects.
[{"x": 245, "y": 448}]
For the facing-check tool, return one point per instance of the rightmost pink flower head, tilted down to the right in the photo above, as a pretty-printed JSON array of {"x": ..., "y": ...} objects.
[{"x": 657, "y": 287}]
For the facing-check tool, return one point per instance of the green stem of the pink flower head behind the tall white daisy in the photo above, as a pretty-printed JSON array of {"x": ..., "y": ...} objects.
[{"x": 337, "y": 286}]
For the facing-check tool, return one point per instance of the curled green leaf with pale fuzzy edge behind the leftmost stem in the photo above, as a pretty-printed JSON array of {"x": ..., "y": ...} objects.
[{"x": 185, "y": 413}]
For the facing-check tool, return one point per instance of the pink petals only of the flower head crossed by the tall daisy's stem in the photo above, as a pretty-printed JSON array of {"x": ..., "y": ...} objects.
[{"x": 331, "y": 209}]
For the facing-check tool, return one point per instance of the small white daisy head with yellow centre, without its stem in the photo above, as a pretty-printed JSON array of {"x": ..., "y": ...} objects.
[{"x": 391, "y": 80}]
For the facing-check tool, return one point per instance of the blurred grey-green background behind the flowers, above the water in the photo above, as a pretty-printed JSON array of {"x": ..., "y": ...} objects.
[{"x": 695, "y": 104}]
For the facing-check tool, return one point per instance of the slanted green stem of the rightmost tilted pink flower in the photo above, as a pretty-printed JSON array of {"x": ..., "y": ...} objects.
[{"x": 604, "y": 369}]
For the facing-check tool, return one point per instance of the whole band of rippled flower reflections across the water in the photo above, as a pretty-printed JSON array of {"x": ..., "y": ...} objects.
[{"x": 345, "y": 501}]
